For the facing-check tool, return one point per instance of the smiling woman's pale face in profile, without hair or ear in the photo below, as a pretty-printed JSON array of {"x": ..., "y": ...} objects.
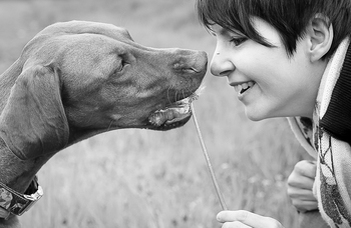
[{"x": 267, "y": 81}]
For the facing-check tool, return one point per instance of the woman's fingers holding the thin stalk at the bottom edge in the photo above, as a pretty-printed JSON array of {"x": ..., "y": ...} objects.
[{"x": 245, "y": 219}]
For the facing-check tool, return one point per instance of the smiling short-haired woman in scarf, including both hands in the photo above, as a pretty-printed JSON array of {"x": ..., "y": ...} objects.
[{"x": 290, "y": 58}]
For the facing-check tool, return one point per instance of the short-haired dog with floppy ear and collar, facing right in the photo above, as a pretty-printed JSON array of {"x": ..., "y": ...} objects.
[{"x": 77, "y": 79}]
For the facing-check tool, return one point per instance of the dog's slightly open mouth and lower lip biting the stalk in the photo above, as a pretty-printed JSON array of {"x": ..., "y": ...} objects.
[{"x": 175, "y": 114}]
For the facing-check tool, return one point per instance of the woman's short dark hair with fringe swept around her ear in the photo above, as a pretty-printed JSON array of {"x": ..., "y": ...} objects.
[{"x": 288, "y": 17}]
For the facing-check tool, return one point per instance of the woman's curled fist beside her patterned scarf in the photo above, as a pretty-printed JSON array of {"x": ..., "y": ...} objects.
[{"x": 300, "y": 184}]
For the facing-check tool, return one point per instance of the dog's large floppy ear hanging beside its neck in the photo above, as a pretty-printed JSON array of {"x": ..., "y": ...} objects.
[{"x": 33, "y": 122}]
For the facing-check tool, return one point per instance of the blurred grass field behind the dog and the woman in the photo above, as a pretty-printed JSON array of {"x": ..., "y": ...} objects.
[{"x": 141, "y": 178}]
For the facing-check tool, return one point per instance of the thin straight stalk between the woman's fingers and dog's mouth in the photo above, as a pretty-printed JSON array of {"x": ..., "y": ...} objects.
[{"x": 208, "y": 161}]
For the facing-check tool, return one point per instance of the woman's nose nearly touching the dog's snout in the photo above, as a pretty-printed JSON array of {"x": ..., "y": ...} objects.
[{"x": 221, "y": 65}]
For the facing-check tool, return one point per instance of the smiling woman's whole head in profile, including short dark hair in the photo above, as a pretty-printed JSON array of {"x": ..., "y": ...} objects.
[{"x": 274, "y": 53}]
